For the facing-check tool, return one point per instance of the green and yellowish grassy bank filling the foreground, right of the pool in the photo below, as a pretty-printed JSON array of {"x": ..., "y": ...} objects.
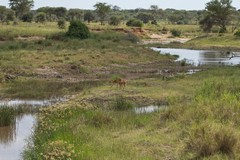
[{"x": 200, "y": 121}]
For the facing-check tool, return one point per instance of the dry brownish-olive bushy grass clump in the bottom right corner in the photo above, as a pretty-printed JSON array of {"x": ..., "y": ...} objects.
[{"x": 207, "y": 140}]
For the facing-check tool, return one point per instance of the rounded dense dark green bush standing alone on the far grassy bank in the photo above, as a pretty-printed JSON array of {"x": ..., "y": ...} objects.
[{"x": 77, "y": 29}]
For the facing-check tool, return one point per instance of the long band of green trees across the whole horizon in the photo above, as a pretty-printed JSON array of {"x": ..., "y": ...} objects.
[{"x": 217, "y": 14}]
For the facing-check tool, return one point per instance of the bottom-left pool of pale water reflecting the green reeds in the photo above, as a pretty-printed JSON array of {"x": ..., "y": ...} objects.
[{"x": 13, "y": 138}]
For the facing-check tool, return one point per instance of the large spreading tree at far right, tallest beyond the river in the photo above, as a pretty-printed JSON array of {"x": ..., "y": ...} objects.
[{"x": 218, "y": 13}]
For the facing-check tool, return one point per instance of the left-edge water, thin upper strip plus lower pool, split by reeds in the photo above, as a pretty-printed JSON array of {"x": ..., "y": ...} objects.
[{"x": 13, "y": 138}]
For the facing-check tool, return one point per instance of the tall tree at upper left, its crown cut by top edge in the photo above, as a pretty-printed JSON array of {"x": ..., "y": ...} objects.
[{"x": 21, "y": 6}]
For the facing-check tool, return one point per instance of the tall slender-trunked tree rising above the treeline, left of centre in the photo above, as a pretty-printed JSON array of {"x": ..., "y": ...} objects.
[{"x": 102, "y": 10}]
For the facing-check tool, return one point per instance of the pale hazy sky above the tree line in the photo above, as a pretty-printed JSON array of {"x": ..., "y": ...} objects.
[{"x": 125, "y": 4}]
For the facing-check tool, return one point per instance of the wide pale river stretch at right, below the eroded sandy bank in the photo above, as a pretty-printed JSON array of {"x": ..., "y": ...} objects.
[{"x": 203, "y": 57}]
